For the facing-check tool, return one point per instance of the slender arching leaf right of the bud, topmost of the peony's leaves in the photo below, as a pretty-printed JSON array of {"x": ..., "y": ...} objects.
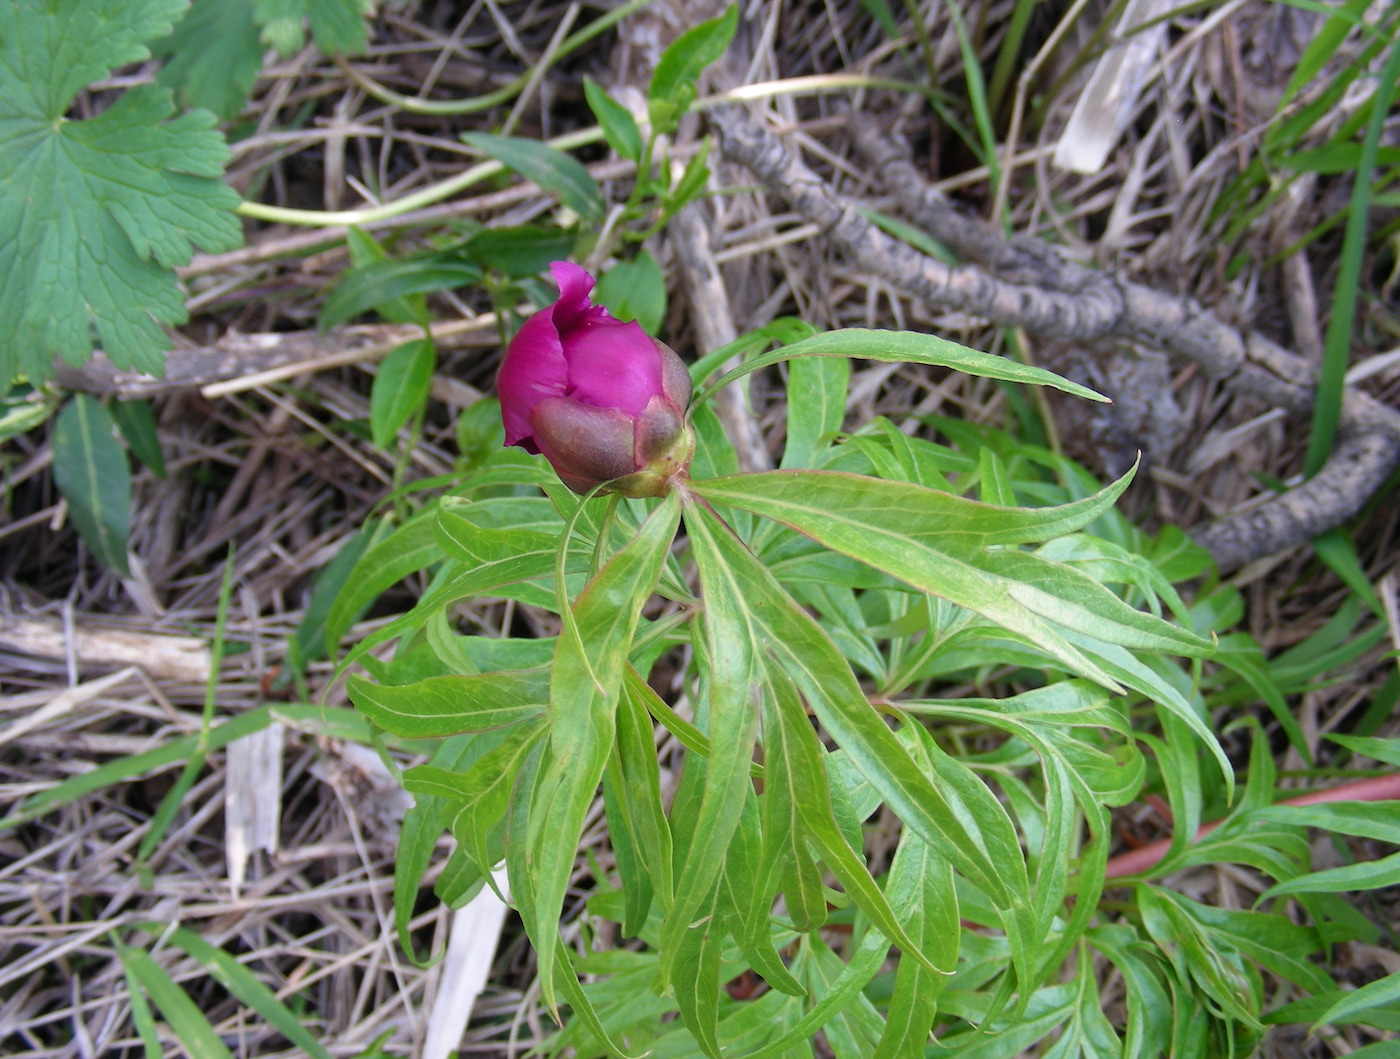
[{"x": 908, "y": 347}]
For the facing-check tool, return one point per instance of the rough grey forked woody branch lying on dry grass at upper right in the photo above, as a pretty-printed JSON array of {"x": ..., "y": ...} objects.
[{"x": 1025, "y": 284}]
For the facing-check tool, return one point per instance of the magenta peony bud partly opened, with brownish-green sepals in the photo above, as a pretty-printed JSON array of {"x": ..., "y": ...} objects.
[{"x": 600, "y": 399}]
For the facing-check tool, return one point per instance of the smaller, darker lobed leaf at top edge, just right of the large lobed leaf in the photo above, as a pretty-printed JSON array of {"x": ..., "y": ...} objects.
[{"x": 213, "y": 57}]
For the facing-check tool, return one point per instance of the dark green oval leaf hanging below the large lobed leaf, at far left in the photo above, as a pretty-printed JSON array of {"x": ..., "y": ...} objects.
[{"x": 92, "y": 473}]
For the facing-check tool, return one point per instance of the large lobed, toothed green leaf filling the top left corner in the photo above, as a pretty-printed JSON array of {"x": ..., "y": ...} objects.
[{"x": 97, "y": 214}]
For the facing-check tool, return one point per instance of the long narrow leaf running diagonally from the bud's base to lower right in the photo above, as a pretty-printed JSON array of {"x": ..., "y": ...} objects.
[{"x": 766, "y": 614}]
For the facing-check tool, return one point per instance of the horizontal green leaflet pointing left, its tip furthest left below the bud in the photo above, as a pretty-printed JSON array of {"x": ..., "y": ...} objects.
[{"x": 450, "y": 705}]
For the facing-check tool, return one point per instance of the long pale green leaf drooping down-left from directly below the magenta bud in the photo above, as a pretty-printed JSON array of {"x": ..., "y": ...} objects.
[{"x": 584, "y": 687}]
